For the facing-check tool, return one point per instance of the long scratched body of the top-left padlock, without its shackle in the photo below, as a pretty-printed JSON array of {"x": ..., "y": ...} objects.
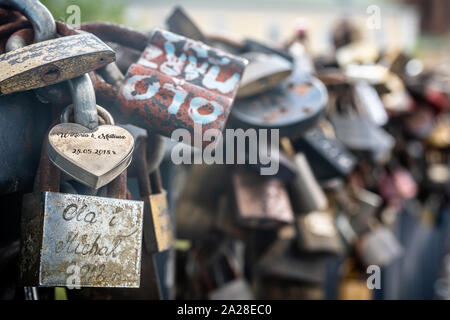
[{"x": 52, "y": 61}]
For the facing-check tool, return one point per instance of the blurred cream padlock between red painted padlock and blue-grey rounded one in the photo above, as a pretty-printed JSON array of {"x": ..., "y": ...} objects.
[{"x": 264, "y": 72}]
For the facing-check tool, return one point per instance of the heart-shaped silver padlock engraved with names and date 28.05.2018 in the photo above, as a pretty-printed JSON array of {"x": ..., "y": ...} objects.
[{"x": 92, "y": 157}]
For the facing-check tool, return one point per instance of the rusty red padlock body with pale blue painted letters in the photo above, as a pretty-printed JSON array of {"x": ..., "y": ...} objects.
[{"x": 178, "y": 83}]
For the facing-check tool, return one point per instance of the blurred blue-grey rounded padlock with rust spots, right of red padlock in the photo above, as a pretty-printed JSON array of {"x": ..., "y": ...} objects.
[{"x": 293, "y": 107}]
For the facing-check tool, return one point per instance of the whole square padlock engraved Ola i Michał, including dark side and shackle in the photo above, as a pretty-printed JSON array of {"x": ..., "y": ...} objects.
[{"x": 76, "y": 240}]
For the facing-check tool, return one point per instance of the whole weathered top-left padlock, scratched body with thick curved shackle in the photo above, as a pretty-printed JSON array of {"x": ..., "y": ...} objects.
[{"x": 50, "y": 60}]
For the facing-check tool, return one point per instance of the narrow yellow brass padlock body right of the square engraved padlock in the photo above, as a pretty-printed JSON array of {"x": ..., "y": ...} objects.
[{"x": 158, "y": 231}]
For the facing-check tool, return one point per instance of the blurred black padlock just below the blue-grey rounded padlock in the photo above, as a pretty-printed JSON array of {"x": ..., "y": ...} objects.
[{"x": 328, "y": 157}]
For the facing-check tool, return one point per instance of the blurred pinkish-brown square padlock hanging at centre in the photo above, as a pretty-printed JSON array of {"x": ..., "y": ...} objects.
[{"x": 261, "y": 201}]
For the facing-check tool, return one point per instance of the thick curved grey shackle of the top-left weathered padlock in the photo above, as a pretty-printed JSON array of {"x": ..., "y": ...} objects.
[{"x": 41, "y": 19}]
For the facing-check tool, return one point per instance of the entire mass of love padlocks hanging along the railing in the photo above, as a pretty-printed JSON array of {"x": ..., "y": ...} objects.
[{"x": 86, "y": 116}]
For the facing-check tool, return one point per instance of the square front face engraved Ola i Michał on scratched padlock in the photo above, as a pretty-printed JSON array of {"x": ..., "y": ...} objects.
[{"x": 98, "y": 239}]
